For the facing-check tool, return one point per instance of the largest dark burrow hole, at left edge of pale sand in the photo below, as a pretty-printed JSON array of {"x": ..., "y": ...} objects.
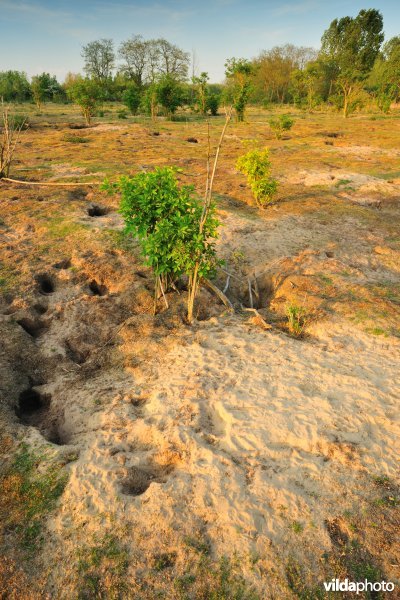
[{"x": 33, "y": 409}]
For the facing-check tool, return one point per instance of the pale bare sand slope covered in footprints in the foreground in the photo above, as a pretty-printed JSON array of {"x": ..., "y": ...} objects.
[{"x": 238, "y": 434}]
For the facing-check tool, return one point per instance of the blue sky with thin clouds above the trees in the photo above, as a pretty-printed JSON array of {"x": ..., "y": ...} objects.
[{"x": 40, "y": 35}]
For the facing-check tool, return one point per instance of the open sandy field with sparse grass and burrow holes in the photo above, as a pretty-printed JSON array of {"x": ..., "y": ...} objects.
[{"x": 143, "y": 458}]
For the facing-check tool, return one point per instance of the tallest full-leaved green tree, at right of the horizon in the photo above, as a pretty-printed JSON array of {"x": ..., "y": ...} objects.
[{"x": 353, "y": 45}]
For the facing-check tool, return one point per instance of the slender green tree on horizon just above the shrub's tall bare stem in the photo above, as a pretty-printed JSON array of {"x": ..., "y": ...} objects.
[{"x": 239, "y": 73}]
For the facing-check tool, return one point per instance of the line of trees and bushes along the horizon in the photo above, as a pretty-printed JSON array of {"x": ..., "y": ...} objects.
[{"x": 353, "y": 66}]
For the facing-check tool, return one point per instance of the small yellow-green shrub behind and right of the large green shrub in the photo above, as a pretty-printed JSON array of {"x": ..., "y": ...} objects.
[{"x": 256, "y": 165}]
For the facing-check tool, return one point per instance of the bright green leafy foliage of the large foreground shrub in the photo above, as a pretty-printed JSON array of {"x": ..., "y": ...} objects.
[{"x": 166, "y": 218}]
